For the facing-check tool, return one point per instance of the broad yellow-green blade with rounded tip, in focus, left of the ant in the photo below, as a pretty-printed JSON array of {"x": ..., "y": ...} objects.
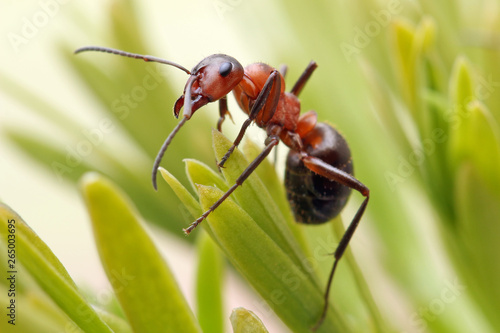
[{"x": 144, "y": 285}]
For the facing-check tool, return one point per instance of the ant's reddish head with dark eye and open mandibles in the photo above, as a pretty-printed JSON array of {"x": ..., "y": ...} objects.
[{"x": 213, "y": 78}]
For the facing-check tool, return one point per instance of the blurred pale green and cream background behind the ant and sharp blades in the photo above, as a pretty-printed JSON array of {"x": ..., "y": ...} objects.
[{"x": 412, "y": 85}]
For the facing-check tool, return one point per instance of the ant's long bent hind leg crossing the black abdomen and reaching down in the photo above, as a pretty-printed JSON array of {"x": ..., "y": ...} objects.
[{"x": 324, "y": 169}]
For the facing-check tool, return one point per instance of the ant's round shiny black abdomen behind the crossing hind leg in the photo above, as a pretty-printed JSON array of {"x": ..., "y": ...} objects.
[{"x": 313, "y": 198}]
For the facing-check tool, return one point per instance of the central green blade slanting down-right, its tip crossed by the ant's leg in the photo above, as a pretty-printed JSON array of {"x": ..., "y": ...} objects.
[{"x": 290, "y": 292}]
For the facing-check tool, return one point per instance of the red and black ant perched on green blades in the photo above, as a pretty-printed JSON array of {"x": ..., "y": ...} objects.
[{"x": 319, "y": 171}]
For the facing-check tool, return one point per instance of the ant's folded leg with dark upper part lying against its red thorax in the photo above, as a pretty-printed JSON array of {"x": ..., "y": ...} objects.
[{"x": 271, "y": 89}]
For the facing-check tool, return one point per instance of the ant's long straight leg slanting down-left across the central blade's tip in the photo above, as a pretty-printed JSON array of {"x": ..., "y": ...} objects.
[{"x": 271, "y": 141}]
